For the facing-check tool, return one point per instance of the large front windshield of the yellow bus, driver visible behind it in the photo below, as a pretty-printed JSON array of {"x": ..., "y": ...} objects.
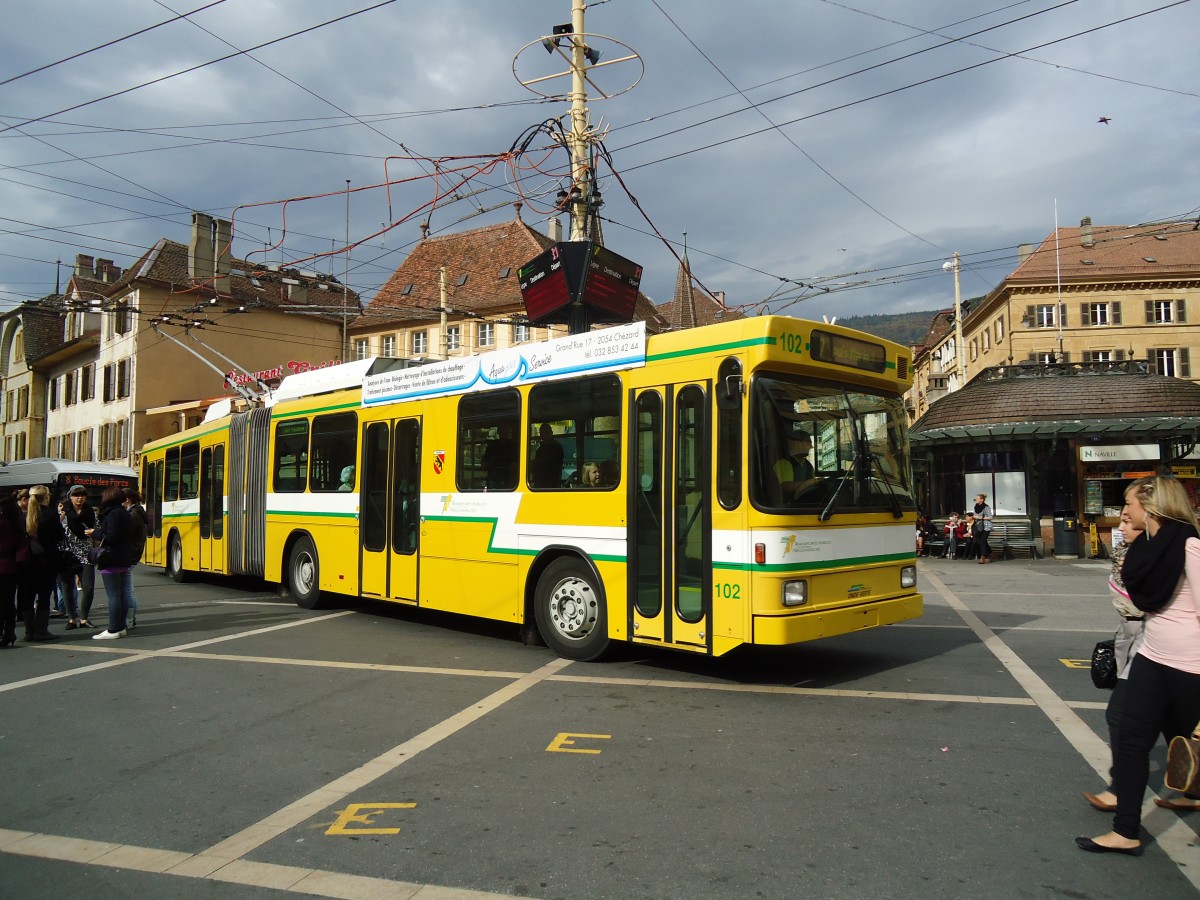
[{"x": 827, "y": 449}]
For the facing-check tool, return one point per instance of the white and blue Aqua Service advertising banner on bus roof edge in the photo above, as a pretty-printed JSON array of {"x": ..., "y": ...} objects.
[{"x": 605, "y": 351}]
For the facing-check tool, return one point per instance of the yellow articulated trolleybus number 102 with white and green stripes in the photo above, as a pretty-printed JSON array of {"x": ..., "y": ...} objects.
[{"x": 746, "y": 483}]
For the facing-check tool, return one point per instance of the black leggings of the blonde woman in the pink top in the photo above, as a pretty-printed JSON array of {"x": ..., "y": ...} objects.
[{"x": 1159, "y": 700}]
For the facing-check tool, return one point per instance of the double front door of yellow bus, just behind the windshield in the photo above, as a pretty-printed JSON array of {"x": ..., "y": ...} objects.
[{"x": 670, "y": 544}]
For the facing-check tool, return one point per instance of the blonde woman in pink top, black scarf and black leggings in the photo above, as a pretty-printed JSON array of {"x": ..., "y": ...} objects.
[{"x": 1162, "y": 575}]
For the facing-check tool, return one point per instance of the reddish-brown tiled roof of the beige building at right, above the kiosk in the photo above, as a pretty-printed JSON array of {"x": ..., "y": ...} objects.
[{"x": 1114, "y": 253}]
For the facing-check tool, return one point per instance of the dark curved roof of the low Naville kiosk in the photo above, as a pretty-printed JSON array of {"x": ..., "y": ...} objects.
[{"x": 1031, "y": 394}]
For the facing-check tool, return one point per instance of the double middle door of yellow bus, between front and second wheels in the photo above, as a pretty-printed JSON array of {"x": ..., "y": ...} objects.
[{"x": 389, "y": 509}]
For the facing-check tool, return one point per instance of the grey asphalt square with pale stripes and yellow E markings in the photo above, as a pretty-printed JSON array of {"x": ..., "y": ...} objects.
[{"x": 237, "y": 746}]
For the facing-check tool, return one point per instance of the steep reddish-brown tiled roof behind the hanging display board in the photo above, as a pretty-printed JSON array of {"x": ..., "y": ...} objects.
[{"x": 482, "y": 278}]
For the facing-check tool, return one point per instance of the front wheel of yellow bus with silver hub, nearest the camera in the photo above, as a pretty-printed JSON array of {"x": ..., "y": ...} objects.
[{"x": 571, "y": 613}]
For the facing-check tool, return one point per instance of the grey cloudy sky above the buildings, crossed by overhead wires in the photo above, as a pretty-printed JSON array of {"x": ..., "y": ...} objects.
[{"x": 823, "y": 158}]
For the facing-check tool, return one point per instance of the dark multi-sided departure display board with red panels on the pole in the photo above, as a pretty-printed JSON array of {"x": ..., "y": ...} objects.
[{"x": 580, "y": 272}]
